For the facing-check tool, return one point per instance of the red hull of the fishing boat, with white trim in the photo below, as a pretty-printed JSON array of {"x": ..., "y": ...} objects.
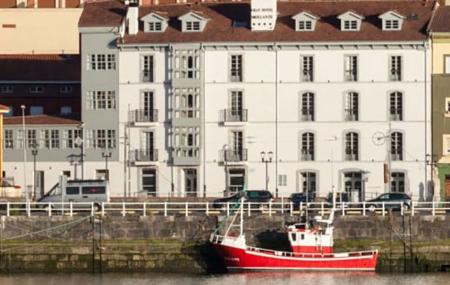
[{"x": 258, "y": 259}]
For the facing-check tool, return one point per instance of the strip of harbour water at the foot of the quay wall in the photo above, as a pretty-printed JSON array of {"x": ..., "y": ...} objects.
[{"x": 227, "y": 279}]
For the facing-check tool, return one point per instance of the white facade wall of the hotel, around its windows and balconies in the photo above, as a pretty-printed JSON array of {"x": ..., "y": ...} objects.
[{"x": 272, "y": 89}]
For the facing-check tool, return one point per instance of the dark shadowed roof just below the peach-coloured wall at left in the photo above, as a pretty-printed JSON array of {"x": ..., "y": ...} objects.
[{"x": 40, "y": 67}]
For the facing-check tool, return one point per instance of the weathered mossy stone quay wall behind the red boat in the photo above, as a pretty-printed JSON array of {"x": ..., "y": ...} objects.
[{"x": 179, "y": 244}]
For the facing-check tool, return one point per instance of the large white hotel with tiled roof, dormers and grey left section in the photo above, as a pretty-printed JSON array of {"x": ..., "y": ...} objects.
[{"x": 335, "y": 95}]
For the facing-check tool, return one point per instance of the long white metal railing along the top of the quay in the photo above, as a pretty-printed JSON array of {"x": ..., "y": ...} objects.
[{"x": 212, "y": 208}]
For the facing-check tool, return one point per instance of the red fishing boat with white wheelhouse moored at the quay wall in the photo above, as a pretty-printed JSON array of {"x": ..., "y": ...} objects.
[{"x": 311, "y": 249}]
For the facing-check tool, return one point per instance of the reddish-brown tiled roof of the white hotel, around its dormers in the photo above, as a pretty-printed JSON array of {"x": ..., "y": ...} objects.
[{"x": 222, "y": 15}]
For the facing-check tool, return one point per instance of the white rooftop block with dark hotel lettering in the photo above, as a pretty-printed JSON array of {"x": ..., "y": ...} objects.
[{"x": 263, "y": 15}]
